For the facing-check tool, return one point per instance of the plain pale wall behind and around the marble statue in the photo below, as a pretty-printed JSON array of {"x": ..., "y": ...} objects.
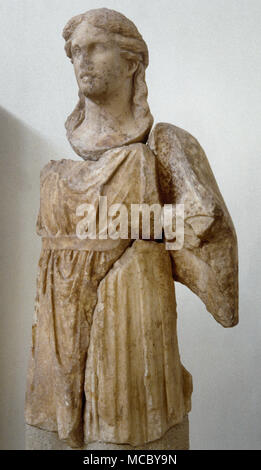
[{"x": 204, "y": 76}]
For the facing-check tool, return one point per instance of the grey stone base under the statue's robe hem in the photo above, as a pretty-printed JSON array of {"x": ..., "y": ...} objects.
[{"x": 177, "y": 438}]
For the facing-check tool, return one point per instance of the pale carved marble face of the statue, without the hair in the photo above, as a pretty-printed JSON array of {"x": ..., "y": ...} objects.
[{"x": 99, "y": 67}]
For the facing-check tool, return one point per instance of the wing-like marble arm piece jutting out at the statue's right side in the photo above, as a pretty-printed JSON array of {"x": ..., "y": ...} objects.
[{"x": 208, "y": 262}]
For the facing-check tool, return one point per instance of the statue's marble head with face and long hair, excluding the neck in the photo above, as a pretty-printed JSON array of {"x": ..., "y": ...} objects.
[{"x": 106, "y": 49}]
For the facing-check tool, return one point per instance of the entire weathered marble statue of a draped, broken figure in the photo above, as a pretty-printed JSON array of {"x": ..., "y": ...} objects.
[{"x": 105, "y": 366}]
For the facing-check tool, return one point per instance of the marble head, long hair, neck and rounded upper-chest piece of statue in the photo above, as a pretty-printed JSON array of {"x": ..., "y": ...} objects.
[{"x": 109, "y": 57}]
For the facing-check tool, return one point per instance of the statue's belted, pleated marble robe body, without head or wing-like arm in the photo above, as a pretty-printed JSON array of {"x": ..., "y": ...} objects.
[{"x": 105, "y": 320}]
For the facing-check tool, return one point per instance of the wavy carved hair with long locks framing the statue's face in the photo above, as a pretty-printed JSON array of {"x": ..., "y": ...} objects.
[{"x": 132, "y": 46}]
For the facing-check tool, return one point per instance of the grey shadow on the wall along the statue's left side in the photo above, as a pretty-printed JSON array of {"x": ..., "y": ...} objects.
[{"x": 23, "y": 152}]
